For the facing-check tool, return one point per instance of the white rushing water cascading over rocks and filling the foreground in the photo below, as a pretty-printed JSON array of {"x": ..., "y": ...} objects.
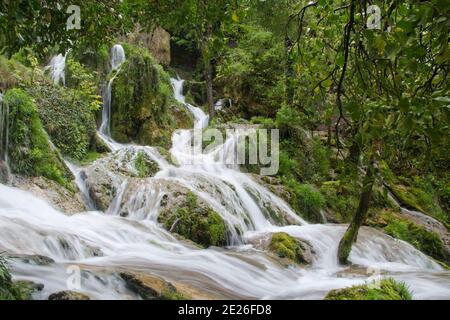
[{"x": 101, "y": 242}]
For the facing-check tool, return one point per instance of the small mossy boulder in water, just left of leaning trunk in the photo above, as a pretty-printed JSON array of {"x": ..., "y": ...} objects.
[{"x": 287, "y": 247}]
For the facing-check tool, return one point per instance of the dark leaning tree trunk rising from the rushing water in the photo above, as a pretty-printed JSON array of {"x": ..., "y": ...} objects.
[{"x": 351, "y": 235}]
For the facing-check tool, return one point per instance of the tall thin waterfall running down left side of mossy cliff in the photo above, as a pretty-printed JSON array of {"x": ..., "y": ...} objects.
[{"x": 117, "y": 58}]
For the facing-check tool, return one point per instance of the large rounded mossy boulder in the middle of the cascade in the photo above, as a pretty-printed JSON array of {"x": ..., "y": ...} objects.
[{"x": 191, "y": 218}]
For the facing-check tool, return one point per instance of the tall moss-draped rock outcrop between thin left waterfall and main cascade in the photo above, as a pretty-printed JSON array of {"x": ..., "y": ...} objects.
[{"x": 142, "y": 104}]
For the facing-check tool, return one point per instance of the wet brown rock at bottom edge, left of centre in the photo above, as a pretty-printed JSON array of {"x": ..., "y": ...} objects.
[{"x": 151, "y": 287}]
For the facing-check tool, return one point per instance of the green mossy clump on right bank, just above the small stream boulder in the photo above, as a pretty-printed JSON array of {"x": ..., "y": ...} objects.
[{"x": 306, "y": 200}]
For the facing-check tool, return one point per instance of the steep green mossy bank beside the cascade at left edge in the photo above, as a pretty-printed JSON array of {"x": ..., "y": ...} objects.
[{"x": 29, "y": 148}]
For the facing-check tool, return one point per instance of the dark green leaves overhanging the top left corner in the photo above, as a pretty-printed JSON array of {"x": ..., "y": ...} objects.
[{"x": 41, "y": 24}]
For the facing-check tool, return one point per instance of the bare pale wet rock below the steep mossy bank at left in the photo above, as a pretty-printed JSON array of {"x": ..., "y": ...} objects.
[{"x": 61, "y": 198}]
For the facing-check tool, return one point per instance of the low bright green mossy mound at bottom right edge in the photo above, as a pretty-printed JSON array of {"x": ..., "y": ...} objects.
[{"x": 388, "y": 289}]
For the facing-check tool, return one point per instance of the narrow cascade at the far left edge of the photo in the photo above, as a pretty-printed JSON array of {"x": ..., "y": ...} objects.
[{"x": 5, "y": 173}]
